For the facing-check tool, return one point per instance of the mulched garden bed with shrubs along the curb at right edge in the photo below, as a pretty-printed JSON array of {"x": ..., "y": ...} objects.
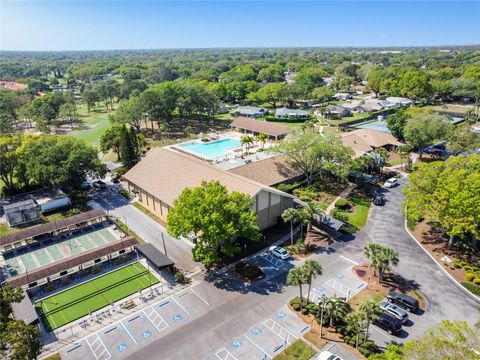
[{"x": 431, "y": 240}]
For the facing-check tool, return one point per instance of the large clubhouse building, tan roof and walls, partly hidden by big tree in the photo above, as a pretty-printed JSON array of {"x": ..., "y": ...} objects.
[{"x": 162, "y": 175}]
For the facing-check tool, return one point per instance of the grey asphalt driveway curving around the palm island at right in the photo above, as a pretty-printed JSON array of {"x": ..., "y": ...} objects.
[{"x": 445, "y": 300}]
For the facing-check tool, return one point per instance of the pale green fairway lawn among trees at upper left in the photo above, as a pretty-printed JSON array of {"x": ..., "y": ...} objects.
[{"x": 95, "y": 123}]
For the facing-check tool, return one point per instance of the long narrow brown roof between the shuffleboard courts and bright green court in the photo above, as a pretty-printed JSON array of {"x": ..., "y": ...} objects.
[{"x": 68, "y": 263}]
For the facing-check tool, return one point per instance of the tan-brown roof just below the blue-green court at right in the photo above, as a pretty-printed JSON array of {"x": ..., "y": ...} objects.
[{"x": 366, "y": 140}]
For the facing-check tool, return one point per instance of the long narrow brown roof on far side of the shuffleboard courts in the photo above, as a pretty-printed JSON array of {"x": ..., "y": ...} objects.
[{"x": 51, "y": 226}]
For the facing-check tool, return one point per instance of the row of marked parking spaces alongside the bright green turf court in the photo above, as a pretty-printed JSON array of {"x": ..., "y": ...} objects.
[{"x": 122, "y": 338}]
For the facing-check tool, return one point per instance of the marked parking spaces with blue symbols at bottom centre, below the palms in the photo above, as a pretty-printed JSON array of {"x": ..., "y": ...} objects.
[{"x": 265, "y": 339}]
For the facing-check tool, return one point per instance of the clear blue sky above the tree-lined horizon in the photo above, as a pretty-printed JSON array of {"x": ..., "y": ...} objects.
[{"x": 105, "y": 25}]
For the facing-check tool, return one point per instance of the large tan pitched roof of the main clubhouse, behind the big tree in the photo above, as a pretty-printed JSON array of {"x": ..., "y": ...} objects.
[{"x": 165, "y": 173}]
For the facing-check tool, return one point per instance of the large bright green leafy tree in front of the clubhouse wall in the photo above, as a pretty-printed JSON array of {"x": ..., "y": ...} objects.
[{"x": 196, "y": 211}]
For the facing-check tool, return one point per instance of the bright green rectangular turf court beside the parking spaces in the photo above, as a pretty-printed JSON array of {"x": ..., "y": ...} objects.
[{"x": 74, "y": 303}]
